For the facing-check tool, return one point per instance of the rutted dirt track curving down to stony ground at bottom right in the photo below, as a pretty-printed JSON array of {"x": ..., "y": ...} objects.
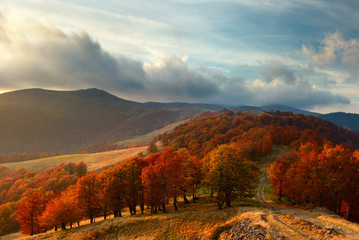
[{"x": 295, "y": 223}]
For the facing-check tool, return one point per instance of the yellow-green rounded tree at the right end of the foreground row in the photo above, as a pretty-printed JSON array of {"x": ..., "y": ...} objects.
[{"x": 230, "y": 175}]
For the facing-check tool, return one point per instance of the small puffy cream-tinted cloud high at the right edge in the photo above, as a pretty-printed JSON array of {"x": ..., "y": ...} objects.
[{"x": 337, "y": 52}]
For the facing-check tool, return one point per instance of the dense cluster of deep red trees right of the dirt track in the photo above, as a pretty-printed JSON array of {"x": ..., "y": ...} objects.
[{"x": 321, "y": 175}]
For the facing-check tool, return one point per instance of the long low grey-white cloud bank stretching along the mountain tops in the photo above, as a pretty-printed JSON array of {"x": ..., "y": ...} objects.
[{"x": 36, "y": 54}]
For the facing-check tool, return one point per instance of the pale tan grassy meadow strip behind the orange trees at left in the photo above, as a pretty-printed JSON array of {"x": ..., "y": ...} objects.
[{"x": 94, "y": 161}]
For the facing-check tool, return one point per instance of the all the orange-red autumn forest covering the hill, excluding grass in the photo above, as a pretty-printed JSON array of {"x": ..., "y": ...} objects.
[{"x": 214, "y": 156}]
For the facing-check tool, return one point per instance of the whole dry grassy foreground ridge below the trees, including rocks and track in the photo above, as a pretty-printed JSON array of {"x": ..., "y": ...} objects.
[{"x": 203, "y": 221}]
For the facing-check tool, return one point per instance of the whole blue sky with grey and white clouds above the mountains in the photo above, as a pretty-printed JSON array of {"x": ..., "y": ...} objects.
[{"x": 298, "y": 53}]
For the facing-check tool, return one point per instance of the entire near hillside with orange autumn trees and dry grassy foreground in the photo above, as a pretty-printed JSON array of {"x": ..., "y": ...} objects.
[{"x": 212, "y": 182}]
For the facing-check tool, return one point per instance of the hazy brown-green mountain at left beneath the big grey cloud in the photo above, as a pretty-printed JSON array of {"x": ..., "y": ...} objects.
[{"x": 38, "y": 120}]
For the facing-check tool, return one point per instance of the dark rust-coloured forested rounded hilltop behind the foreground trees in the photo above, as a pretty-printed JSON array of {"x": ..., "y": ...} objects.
[{"x": 201, "y": 135}]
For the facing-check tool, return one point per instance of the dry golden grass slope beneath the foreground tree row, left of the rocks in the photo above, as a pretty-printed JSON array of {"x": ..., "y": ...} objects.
[{"x": 192, "y": 221}]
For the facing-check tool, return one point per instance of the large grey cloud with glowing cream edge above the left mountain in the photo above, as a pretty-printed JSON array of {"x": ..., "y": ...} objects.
[{"x": 44, "y": 56}]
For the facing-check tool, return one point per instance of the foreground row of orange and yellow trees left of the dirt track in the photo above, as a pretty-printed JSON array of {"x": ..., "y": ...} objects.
[{"x": 141, "y": 183}]
